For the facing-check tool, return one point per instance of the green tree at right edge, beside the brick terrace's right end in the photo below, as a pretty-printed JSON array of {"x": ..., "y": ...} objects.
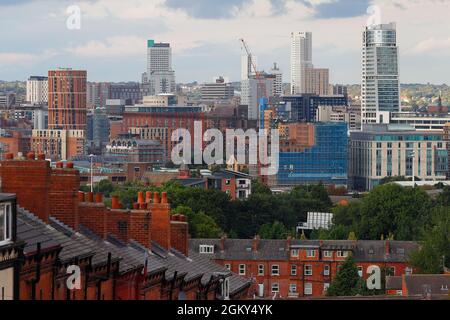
[{"x": 435, "y": 249}]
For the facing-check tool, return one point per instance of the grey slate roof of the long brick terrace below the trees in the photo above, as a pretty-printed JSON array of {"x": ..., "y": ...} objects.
[{"x": 363, "y": 250}]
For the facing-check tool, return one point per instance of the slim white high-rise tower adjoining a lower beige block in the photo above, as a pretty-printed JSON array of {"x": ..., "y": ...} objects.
[{"x": 301, "y": 61}]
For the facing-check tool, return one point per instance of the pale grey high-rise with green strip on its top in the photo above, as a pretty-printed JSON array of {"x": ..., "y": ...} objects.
[{"x": 159, "y": 78}]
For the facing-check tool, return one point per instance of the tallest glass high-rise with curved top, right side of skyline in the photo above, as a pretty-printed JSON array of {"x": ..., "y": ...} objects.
[{"x": 380, "y": 88}]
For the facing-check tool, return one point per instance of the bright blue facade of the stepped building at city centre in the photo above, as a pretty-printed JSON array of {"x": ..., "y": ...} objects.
[{"x": 325, "y": 162}]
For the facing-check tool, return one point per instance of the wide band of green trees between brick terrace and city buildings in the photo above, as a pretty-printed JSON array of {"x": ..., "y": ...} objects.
[{"x": 389, "y": 211}]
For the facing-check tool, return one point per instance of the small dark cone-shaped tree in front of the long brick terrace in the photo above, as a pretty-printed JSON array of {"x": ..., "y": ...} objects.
[{"x": 347, "y": 280}]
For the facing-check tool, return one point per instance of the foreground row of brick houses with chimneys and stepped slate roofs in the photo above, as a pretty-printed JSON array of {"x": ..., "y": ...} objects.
[{"x": 122, "y": 254}]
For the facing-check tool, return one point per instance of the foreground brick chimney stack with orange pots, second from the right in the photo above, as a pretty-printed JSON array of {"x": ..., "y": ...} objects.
[{"x": 160, "y": 226}]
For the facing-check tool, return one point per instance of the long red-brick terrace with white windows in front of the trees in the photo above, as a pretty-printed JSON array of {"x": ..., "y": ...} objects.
[{"x": 301, "y": 268}]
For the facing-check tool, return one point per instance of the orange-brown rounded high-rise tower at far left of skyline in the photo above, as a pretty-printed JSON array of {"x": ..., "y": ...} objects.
[{"x": 67, "y": 99}]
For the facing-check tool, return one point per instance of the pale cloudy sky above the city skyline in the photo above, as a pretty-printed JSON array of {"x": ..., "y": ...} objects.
[{"x": 204, "y": 34}]
